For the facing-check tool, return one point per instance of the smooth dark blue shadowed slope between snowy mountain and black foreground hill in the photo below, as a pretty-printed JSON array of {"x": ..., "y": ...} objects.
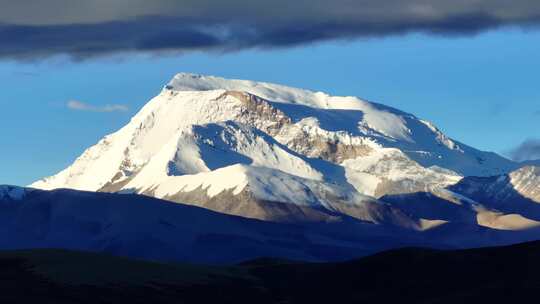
[{"x": 144, "y": 227}]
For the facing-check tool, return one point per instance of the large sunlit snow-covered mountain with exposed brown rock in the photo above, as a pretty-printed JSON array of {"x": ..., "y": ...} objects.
[{"x": 277, "y": 153}]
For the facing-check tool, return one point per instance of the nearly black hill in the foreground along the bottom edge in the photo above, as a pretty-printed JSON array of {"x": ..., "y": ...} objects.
[{"x": 489, "y": 275}]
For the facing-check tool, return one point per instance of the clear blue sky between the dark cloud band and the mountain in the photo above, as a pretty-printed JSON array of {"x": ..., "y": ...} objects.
[{"x": 481, "y": 90}]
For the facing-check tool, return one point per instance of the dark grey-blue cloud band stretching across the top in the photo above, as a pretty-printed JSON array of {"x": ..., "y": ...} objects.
[{"x": 32, "y": 29}]
